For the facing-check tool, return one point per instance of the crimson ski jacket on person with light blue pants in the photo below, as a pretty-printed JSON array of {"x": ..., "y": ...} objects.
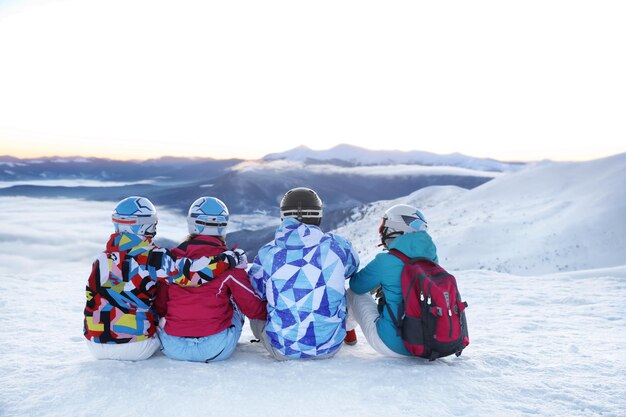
[{"x": 206, "y": 310}]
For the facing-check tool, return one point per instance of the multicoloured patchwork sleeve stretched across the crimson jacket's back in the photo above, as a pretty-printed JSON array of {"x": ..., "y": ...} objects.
[{"x": 163, "y": 266}]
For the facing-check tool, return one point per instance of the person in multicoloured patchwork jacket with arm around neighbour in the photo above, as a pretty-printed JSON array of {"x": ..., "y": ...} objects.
[{"x": 120, "y": 322}]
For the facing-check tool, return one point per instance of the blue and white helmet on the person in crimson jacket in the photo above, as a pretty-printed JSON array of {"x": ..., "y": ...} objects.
[{"x": 208, "y": 216}]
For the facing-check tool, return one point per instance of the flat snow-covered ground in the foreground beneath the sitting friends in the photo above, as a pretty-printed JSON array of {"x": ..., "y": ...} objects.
[{"x": 540, "y": 345}]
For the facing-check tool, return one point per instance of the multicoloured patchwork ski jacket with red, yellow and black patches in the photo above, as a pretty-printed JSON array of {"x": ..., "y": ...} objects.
[{"x": 122, "y": 287}]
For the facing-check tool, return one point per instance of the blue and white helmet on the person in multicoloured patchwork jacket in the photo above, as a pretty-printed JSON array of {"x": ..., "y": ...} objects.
[{"x": 135, "y": 215}]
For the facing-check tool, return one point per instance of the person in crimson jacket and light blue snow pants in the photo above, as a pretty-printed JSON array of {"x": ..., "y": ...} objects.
[{"x": 203, "y": 324}]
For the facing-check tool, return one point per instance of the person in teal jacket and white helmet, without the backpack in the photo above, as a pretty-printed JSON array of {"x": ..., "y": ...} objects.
[{"x": 403, "y": 228}]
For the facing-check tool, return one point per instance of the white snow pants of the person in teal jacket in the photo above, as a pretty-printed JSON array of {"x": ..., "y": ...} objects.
[{"x": 362, "y": 310}]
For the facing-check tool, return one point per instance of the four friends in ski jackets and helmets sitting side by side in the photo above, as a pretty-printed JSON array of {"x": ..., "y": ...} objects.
[{"x": 190, "y": 301}]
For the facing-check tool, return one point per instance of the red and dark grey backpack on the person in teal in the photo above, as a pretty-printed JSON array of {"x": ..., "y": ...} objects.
[{"x": 431, "y": 317}]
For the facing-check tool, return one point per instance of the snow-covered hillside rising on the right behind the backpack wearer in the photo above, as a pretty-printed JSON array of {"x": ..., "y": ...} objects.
[{"x": 545, "y": 218}]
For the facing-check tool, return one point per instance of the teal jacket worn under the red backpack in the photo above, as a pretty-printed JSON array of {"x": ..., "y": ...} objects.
[{"x": 385, "y": 271}]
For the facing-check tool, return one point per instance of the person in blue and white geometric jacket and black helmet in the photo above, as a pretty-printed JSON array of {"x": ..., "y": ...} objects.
[{"x": 302, "y": 274}]
